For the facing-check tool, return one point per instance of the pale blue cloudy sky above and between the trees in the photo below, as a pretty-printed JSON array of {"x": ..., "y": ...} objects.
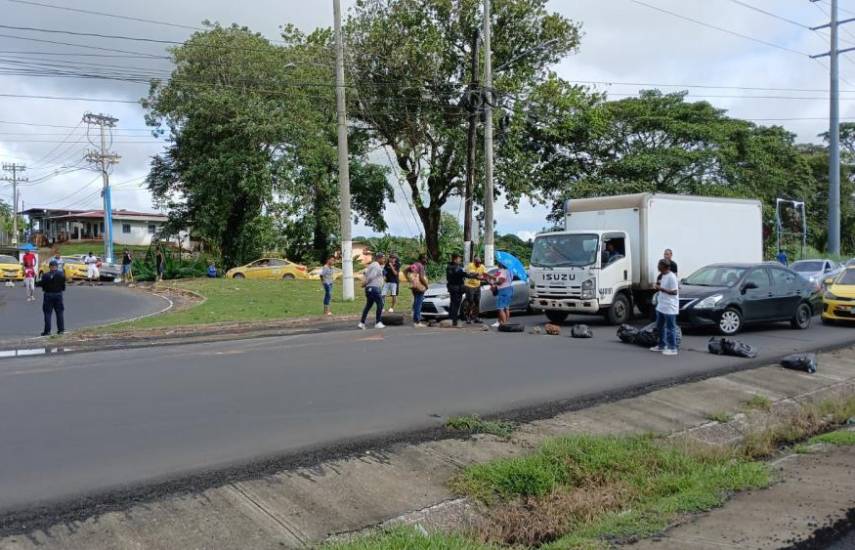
[{"x": 754, "y": 64}]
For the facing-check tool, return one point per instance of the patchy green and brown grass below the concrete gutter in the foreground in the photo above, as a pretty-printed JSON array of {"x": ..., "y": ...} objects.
[{"x": 585, "y": 492}]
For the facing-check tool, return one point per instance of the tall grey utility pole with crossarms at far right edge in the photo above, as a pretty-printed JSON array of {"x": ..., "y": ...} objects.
[{"x": 834, "y": 129}]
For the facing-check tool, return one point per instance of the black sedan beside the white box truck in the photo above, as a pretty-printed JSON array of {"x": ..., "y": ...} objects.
[{"x": 730, "y": 296}]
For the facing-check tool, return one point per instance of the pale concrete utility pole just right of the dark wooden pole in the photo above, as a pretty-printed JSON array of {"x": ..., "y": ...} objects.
[{"x": 489, "y": 234}]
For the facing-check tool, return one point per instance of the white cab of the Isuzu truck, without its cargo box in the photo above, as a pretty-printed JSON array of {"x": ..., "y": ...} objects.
[{"x": 582, "y": 272}]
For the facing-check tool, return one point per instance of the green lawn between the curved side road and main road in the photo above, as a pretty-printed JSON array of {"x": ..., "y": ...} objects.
[{"x": 235, "y": 300}]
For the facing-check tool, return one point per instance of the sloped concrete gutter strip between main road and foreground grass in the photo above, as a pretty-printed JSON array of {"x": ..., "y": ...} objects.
[{"x": 300, "y": 506}]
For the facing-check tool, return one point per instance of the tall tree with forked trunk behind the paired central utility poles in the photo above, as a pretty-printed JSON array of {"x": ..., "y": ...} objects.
[{"x": 411, "y": 66}]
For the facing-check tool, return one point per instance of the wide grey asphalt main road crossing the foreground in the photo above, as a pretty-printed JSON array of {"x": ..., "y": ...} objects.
[{"x": 76, "y": 424}]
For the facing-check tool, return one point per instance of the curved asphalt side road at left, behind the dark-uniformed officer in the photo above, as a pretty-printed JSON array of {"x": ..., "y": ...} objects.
[{"x": 84, "y": 306}]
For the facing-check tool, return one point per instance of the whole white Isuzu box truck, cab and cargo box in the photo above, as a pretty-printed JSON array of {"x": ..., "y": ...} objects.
[{"x": 605, "y": 260}]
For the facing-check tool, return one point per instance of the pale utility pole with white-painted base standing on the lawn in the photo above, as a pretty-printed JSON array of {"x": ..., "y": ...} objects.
[{"x": 343, "y": 161}]
